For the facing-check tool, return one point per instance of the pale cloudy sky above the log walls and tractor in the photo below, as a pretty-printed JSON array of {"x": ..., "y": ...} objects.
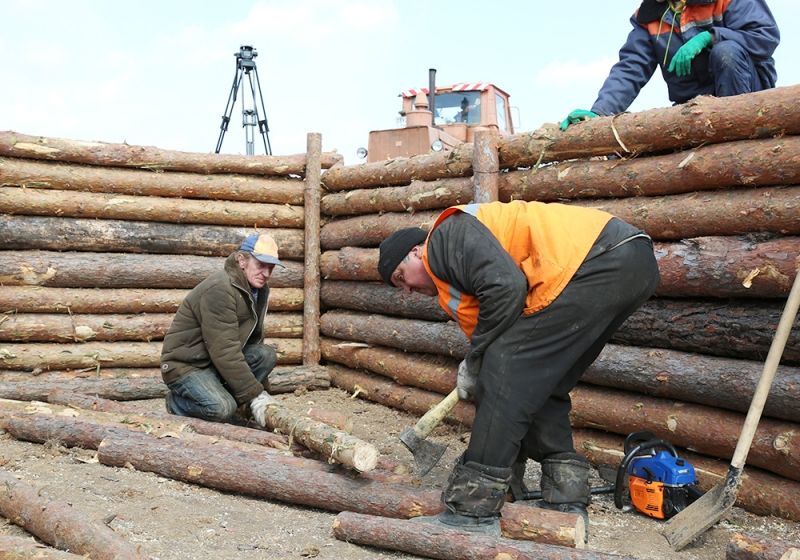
[{"x": 159, "y": 72}]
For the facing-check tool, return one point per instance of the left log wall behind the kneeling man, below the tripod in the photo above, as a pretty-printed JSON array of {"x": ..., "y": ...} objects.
[{"x": 100, "y": 243}]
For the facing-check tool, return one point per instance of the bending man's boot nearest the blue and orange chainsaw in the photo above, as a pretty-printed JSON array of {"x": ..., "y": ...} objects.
[{"x": 565, "y": 485}]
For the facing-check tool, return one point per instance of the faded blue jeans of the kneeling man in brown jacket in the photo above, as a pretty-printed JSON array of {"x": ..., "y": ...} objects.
[{"x": 204, "y": 394}]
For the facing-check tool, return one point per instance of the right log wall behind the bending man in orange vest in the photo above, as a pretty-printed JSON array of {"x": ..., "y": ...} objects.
[{"x": 714, "y": 182}]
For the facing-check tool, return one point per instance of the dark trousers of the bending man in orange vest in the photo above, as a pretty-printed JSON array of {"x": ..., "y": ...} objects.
[{"x": 523, "y": 388}]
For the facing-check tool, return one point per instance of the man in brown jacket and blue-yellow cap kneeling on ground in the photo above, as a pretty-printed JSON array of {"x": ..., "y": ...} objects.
[{"x": 213, "y": 358}]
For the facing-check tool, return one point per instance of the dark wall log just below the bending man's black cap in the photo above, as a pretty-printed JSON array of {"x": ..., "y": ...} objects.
[{"x": 381, "y": 298}]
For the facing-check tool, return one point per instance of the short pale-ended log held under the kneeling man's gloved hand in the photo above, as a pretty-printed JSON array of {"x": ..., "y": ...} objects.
[{"x": 335, "y": 445}]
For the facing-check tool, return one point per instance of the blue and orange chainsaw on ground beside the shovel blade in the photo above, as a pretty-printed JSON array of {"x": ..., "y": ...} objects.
[{"x": 660, "y": 483}]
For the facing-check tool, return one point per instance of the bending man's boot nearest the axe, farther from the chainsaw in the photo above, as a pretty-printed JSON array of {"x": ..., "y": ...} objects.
[{"x": 473, "y": 498}]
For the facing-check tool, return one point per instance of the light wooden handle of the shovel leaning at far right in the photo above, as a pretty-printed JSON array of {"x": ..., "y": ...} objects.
[{"x": 767, "y": 375}]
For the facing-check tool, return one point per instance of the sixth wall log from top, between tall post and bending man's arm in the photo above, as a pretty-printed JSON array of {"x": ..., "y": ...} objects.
[{"x": 406, "y": 334}]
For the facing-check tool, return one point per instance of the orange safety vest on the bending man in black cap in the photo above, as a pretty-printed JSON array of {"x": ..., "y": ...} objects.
[{"x": 547, "y": 241}]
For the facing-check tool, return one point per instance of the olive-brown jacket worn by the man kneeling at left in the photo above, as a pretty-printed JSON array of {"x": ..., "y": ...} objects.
[{"x": 213, "y": 324}]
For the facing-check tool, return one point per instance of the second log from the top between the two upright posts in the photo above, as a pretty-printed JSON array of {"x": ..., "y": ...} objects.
[{"x": 419, "y": 195}]
